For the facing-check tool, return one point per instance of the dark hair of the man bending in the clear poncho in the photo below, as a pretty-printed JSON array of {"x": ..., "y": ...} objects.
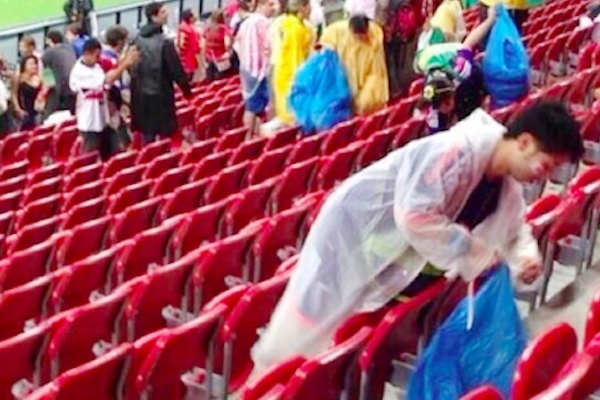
[{"x": 552, "y": 125}]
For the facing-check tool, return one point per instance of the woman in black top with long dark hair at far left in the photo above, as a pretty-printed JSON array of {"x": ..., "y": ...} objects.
[{"x": 28, "y": 105}]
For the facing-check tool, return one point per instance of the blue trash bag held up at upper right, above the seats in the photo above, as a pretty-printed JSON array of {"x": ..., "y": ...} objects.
[{"x": 506, "y": 63}]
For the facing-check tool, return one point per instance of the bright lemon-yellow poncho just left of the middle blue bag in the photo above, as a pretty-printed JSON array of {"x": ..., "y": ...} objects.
[{"x": 296, "y": 40}]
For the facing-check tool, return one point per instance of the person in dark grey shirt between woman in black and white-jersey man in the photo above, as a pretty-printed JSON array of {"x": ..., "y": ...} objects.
[{"x": 59, "y": 58}]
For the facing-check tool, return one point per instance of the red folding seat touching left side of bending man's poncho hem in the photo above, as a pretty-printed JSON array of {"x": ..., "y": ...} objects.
[{"x": 241, "y": 329}]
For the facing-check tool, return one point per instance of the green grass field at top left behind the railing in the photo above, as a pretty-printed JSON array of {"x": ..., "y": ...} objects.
[{"x": 19, "y": 12}]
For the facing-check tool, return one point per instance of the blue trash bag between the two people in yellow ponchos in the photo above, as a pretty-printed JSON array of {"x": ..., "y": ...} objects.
[{"x": 321, "y": 95}]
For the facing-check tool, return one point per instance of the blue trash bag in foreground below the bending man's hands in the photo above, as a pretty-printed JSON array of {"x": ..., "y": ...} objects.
[{"x": 458, "y": 360}]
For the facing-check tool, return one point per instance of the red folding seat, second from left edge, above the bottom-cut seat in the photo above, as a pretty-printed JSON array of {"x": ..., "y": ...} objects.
[{"x": 85, "y": 333}]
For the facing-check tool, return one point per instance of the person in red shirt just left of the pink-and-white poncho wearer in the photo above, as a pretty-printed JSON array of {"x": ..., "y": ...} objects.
[{"x": 217, "y": 46}]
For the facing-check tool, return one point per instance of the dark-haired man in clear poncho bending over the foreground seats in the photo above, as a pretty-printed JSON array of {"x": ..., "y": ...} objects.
[{"x": 449, "y": 204}]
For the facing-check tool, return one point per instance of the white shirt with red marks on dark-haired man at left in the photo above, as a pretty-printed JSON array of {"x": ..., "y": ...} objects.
[{"x": 88, "y": 84}]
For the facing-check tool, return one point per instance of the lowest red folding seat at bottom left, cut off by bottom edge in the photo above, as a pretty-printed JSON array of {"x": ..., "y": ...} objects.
[{"x": 99, "y": 379}]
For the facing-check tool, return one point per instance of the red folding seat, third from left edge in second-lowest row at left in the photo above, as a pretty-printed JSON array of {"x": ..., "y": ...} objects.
[{"x": 154, "y": 300}]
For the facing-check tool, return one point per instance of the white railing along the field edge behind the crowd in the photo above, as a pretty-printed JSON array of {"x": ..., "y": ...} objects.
[{"x": 129, "y": 15}]
